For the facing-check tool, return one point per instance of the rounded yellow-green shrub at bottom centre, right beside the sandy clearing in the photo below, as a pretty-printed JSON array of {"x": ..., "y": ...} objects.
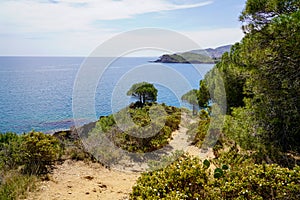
[{"x": 185, "y": 178}]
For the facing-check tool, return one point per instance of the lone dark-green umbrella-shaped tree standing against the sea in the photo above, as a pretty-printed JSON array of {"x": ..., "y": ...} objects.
[{"x": 143, "y": 91}]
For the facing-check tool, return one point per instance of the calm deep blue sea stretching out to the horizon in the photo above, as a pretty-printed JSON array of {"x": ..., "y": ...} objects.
[{"x": 36, "y": 93}]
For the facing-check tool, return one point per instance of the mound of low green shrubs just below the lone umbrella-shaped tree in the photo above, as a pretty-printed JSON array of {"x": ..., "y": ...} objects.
[{"x": 139, "y": 129}]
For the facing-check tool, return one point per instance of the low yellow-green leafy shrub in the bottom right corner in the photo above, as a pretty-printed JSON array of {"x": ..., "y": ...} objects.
[{"x": 253, "y": 181}]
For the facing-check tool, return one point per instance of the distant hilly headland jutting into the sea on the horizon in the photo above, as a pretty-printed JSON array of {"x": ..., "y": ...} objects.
[{"x": 195, "y": 56}]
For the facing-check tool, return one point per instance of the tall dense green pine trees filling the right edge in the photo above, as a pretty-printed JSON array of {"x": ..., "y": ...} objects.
[{"x": 262, "y": 78}]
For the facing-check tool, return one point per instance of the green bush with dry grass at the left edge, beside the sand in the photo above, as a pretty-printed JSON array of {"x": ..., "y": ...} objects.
[{"x": 22, "y": 159}]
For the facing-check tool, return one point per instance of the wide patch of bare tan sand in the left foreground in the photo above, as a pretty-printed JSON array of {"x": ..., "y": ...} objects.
[{"x": 79, "y": 180}]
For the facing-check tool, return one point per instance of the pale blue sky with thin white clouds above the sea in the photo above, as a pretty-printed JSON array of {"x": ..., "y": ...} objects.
[{"x": 77, "y": 27}]
